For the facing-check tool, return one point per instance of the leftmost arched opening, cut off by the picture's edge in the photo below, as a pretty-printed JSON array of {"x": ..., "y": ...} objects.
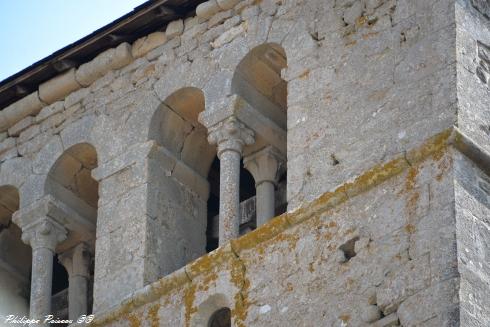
[{"x": 15, "y": 259}]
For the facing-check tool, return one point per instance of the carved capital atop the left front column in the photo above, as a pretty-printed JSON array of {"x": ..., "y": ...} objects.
[{"x": 44, "y": 233}]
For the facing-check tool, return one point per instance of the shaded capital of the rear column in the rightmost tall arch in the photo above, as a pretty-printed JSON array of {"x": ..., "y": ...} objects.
[{"x": 265, "y": 165}]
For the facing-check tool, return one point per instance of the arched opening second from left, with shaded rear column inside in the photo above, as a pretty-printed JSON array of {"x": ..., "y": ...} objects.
[{"x": 71, "y": 184}]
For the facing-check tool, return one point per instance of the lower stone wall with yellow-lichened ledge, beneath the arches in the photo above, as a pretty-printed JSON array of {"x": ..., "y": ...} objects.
[{"x": 379, "y": 251}]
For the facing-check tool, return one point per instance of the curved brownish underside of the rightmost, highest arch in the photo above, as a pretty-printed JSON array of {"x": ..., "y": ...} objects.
[{"x": 257, "y": 79}]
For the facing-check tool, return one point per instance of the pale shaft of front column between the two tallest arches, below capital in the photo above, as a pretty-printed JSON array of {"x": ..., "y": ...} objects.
[{"x": 229, "y": 206}]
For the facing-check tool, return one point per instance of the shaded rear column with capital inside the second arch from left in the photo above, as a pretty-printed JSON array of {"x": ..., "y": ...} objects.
[{"x": 77, "y": 262}]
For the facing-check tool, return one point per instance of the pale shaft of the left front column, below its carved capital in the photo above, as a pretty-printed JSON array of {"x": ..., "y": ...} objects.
[{"x": 41, "y": 283}]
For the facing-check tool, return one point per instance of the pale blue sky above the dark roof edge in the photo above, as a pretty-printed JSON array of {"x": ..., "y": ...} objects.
[{"x": 33, "y": 29}]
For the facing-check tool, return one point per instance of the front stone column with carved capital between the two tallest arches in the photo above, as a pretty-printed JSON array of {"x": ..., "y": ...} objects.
[{"x": 230, "y": 135}]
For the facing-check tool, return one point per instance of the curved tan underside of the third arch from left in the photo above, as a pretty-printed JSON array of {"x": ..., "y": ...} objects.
[{"x": 175, "y": 126}]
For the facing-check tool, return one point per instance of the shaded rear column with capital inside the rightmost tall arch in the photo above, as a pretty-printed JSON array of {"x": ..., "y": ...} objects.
[{"x": 265, "y": 166}]
